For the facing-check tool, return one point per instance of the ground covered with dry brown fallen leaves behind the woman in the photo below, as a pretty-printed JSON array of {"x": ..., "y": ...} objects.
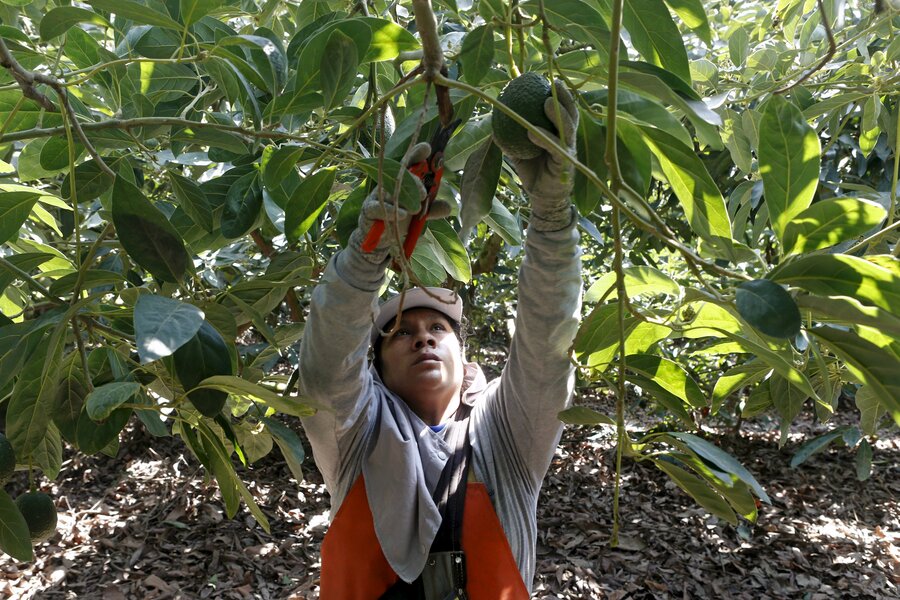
[{"x": 149, "y": 525}]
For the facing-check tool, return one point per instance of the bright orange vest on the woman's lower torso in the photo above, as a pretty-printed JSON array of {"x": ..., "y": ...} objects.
[{"x": 354, "y": 566}]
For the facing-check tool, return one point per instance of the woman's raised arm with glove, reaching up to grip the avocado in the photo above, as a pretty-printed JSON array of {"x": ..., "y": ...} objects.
[{"x": 538, "y": 379}]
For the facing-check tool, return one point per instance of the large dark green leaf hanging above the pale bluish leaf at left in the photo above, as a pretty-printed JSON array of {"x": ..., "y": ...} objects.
[{"x": 146, "y": 234}]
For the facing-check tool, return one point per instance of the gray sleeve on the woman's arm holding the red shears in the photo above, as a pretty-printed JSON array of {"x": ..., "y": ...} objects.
[{"x": 334, "y": 366}]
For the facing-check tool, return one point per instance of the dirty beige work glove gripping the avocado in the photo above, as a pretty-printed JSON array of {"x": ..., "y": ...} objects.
[{"x": 548, "y": 178}]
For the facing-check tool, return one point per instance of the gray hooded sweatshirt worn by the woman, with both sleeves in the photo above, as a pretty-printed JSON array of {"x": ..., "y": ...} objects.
[{"x": 366, "y": 429}]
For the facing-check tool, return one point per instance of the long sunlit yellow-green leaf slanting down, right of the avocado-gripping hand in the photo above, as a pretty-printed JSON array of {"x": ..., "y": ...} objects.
[{"x": 698, "y": 194}]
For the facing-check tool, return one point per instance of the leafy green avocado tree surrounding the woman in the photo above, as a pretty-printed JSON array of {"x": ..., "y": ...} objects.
[{"x": 176, "y": 173}]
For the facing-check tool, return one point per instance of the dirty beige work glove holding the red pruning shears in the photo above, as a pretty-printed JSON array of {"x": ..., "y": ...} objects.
[{"x": 384, "y": 209}]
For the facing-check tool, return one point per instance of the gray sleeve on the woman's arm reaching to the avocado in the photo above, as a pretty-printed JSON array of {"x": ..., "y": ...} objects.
[{"x": 538, "y": 379}]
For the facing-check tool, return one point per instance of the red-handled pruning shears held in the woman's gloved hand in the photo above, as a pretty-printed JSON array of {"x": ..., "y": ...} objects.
[{"x": 430, "y": 172}]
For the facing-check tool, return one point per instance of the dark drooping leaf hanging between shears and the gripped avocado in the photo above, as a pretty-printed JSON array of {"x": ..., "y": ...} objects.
[{"x": 478, "y": 185}]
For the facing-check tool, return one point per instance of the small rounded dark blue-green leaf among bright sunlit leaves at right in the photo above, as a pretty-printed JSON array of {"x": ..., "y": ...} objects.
[{"x": 768, "y": 307}]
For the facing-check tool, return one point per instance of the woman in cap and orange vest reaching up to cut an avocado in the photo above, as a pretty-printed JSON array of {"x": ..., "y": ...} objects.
[{"x": 400, "y": 438}]
